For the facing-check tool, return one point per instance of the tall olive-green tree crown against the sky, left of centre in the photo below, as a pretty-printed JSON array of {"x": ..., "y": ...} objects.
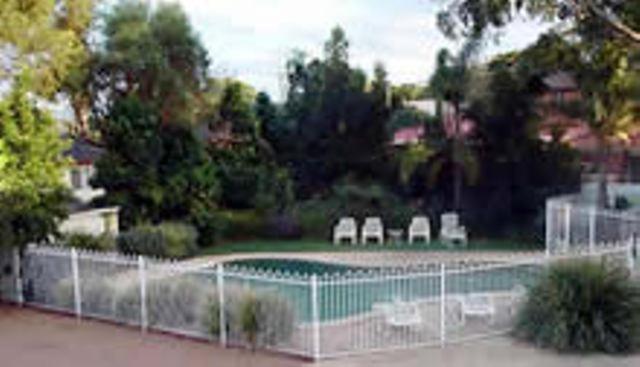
[{"x": 154, "y": 55}]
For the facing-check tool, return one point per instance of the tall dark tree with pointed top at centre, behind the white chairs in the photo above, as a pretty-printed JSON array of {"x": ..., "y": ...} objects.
[{"x": 337, "y": 117}]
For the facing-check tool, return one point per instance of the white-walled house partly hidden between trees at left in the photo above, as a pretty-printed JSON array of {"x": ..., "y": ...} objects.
[{"x": 83, "y": 218}]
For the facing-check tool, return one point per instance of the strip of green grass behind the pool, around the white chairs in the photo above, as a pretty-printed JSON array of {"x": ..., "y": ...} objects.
[{"x": 318, "y": 245}]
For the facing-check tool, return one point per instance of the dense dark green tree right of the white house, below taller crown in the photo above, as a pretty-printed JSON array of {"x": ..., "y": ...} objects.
[{"x": 154, "y": 171}]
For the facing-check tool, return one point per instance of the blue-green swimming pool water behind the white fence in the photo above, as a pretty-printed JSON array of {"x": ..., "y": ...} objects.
[{"x": 344, "y": 290}]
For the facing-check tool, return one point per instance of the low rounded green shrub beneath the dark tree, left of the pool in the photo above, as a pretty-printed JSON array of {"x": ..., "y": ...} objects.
[{"x": 169, "y": 239}]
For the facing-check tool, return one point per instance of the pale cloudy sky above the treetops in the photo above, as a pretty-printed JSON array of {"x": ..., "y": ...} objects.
[{"x": 252, "y": 39}]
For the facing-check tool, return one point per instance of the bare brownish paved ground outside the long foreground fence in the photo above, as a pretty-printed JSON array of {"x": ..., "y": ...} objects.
[{"x": 30, "y": 338}]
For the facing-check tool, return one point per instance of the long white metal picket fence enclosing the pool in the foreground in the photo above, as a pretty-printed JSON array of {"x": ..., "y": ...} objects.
[{"x": 315, "y": 316}]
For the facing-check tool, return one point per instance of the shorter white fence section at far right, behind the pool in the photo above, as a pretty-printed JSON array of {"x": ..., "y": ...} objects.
[{"x": 572, "y": 225}]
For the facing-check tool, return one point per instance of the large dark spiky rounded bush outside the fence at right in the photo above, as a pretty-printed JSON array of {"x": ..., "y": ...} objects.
[{"x": 582, "y": 306}]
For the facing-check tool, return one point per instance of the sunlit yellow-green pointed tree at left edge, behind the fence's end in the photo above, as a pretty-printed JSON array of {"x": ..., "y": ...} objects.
[{"x": 33, "y": 196}]
